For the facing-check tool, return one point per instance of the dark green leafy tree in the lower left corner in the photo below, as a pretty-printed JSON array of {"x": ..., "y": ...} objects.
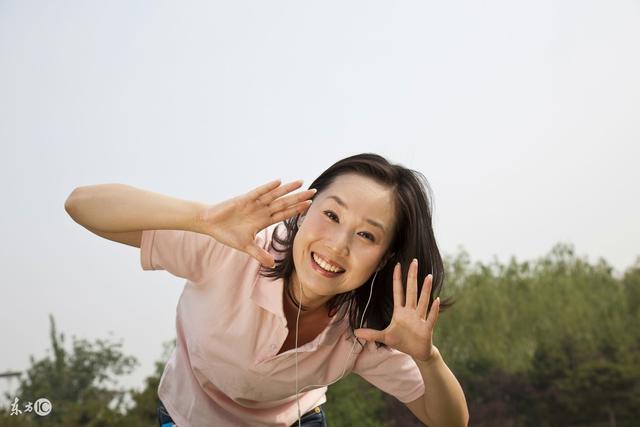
[{"x": 79, "y": 383}]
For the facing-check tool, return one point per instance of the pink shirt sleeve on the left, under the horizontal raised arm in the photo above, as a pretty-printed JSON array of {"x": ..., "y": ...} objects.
[{"x": 185, "y": 254}]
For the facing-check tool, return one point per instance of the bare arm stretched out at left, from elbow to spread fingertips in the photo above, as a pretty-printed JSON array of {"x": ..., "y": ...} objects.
[{"x": 113, "y": 209}]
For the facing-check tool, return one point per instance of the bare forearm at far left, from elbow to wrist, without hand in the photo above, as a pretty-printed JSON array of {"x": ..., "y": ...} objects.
[{"x": 121, "y": 207}]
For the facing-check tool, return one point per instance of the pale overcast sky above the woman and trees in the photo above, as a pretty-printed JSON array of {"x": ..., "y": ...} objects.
[{"x": 523, "y": 116}]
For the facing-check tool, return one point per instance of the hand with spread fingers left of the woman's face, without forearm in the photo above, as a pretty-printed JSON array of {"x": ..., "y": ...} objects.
[{"x": 235, "y": 222}]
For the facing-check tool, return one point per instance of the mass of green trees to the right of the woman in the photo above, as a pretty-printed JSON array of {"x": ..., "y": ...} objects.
[{"x": 525, "y": 337}]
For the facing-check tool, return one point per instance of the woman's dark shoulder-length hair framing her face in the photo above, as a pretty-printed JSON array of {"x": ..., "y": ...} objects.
[{"x": 412, "y": 238}]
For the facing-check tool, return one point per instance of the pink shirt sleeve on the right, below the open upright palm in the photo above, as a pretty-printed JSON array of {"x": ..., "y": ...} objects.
[{"x": 391, "y": 371}]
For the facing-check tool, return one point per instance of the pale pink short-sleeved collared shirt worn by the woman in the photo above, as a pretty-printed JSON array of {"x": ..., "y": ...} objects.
[{"x": 230, "y": 324}]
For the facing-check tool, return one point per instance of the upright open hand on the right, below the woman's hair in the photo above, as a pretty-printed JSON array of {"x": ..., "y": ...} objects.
[{"x": 410, "y": 330}]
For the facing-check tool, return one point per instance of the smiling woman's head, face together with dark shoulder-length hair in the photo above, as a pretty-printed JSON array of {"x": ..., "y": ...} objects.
[{"x": 370, "y": 214}]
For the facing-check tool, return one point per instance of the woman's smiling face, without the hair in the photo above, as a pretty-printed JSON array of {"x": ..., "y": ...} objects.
[{"x": 349, "y": 226}]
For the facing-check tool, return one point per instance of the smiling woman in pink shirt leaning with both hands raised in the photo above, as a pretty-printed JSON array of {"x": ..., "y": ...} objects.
[{"x": 336, "y": 265}]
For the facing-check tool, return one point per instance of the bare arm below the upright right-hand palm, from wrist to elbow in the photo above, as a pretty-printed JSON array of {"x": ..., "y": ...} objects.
[{"x": 443, "y": 403}]
